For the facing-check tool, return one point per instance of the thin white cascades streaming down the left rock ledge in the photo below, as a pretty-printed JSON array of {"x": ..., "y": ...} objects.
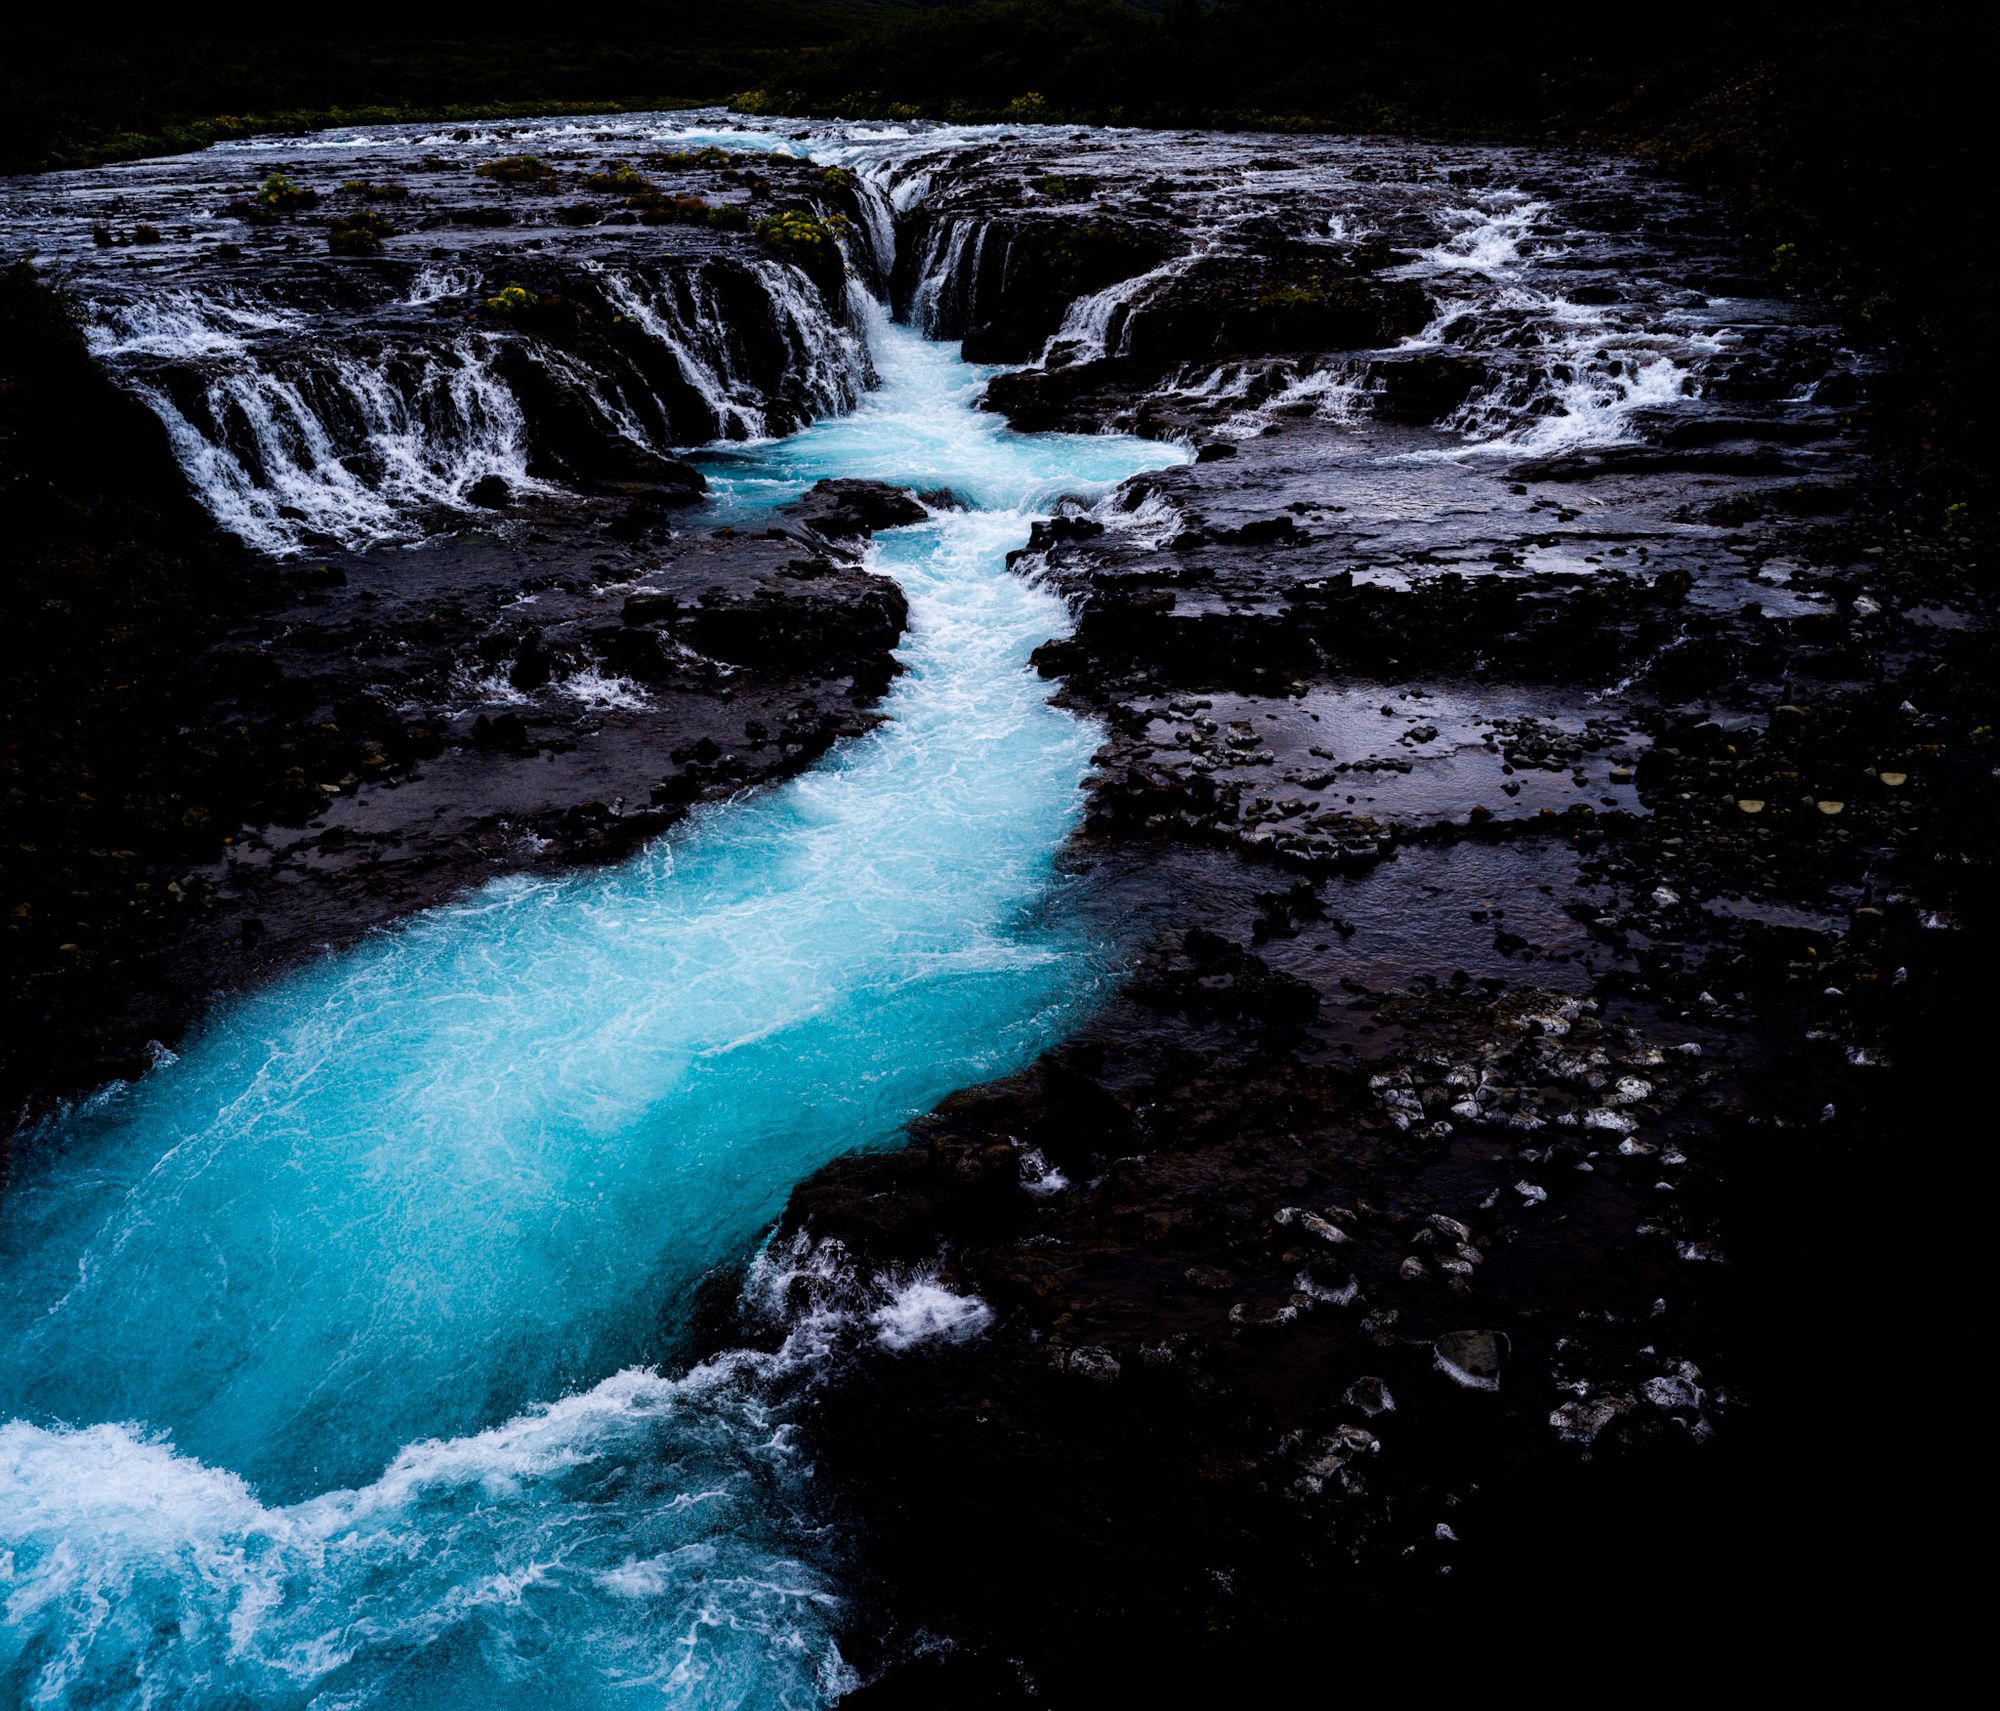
[{"x": 295, "y": 441}]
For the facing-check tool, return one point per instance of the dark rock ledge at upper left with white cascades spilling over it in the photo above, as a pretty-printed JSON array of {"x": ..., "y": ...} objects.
[{"x": 517, "y": 327}]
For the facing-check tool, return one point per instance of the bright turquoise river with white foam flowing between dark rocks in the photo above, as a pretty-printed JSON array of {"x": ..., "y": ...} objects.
[{"x": 341, "y": 1358}]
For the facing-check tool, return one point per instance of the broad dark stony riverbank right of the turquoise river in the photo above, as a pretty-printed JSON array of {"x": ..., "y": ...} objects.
[{"x": 1547, "y": 803}]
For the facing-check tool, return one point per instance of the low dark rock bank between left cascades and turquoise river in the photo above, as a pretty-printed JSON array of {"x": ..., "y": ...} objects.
[{"x": 389, "y": 731}]
